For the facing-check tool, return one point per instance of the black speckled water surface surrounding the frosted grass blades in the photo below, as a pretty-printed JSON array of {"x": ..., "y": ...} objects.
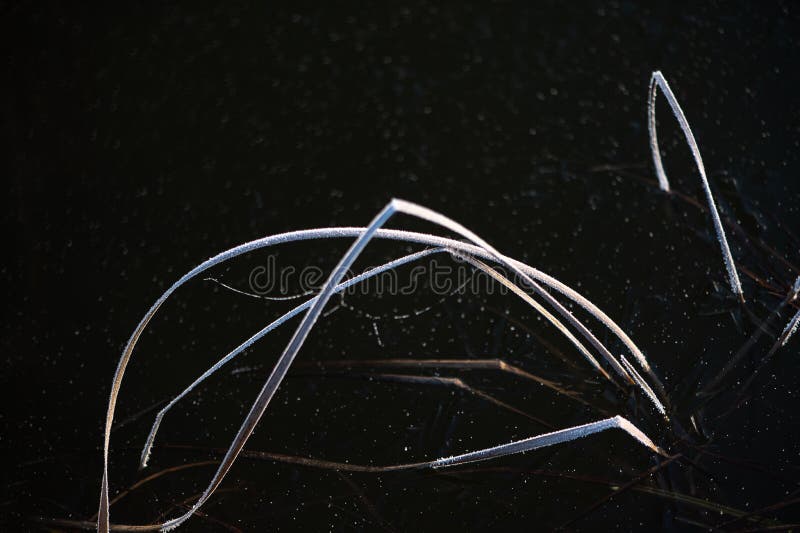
[{"x": 139, "y": 140}]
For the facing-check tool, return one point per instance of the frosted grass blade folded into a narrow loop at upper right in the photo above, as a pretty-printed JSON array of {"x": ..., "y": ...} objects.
[{"x": 658, "y": 81}]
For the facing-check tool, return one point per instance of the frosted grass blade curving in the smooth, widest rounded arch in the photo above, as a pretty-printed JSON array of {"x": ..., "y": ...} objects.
[{"x": 324, "y": 233}]
